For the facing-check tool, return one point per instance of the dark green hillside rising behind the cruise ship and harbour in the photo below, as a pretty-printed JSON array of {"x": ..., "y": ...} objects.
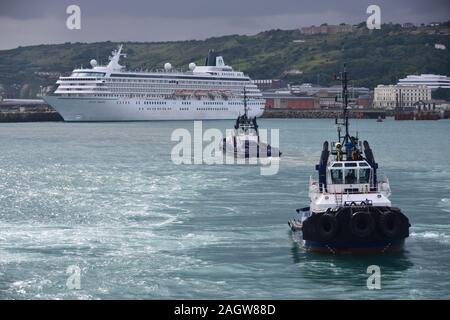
[{"x": 373, "y": 56}]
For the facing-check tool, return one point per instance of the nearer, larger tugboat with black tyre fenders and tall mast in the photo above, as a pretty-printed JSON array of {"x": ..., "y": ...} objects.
[{"x": 350, "y": 210}]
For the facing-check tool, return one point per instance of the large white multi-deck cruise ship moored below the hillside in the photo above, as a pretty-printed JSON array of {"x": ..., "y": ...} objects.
[{"x": 111, "y": 93}]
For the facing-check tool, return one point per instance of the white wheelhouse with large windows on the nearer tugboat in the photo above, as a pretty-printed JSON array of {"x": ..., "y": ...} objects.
[{"x": 349, "y": 176}]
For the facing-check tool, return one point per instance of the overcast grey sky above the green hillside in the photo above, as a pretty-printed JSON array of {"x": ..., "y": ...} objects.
[{"x": 25, "y": 22}]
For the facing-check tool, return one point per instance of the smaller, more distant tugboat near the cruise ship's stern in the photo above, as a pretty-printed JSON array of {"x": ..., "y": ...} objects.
[{"x": 245, "y": 141}]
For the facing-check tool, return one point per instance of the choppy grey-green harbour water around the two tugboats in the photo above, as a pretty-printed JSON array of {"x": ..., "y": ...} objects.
[{"x": 106, "y": 198}]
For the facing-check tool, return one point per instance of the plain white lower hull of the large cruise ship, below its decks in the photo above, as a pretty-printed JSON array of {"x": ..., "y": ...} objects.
[{"x": 86, "y": 109}]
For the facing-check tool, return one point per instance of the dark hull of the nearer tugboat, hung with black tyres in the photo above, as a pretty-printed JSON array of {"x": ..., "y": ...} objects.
[{"x": 353, "y": 229}]
